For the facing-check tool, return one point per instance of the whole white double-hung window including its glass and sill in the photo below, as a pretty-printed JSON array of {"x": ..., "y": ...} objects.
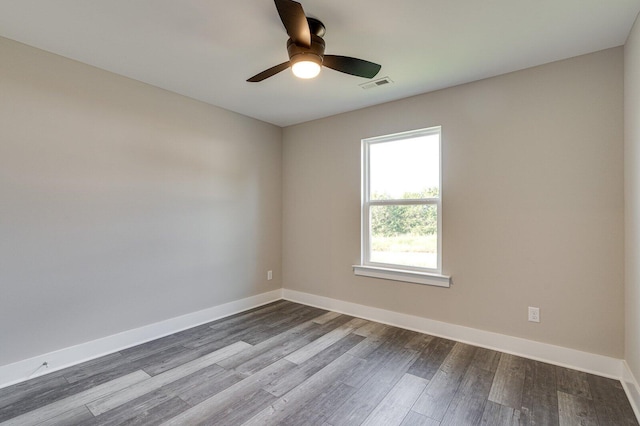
[{"x": 401, "y": 208}]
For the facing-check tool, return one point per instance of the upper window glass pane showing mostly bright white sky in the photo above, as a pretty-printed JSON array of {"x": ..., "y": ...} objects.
[{"x": 404, "y": 169}]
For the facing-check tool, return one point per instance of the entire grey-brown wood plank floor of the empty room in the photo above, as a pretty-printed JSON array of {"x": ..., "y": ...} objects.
[{"x": 290, "y": 364}]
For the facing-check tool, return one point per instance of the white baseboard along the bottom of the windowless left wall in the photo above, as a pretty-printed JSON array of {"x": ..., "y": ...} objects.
[{"x": 63, "y": 358}]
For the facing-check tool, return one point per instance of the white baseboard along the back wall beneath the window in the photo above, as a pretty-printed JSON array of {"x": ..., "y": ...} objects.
[{"x": 557, "y": 355}]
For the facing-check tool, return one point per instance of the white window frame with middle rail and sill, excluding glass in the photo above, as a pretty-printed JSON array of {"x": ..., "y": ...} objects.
[{"x": 429, "y": 276}]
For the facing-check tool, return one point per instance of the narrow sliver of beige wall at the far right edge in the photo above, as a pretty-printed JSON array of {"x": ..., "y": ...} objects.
[{"x": 632, "y": 197}]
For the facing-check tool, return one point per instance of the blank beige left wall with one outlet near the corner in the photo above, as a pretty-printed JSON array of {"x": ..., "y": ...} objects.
[{"x": 123, "y": 204}]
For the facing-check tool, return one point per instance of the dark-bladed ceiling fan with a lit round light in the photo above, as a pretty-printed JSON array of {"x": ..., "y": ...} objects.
[{"x": 306, "y": 48}]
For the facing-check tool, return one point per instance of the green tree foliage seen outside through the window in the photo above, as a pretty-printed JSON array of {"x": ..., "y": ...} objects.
[{"x": 395, "y": 220}]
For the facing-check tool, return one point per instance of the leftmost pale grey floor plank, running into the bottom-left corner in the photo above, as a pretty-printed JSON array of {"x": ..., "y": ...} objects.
[{"x": 72, "y": 402}]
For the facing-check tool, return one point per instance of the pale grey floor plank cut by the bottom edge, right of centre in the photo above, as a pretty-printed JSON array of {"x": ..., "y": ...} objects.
[{"x": 398, "y": 402}]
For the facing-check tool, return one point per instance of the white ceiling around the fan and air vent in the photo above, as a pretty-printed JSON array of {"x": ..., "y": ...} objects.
[{"x": 206, "y": 49}]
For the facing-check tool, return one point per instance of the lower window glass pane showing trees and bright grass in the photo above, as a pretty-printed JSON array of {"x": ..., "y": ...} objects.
[{"x": 404, "y": 235}]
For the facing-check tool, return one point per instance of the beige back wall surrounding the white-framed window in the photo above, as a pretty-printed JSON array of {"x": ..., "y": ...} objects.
[{"x": 533, "y": 204}]
